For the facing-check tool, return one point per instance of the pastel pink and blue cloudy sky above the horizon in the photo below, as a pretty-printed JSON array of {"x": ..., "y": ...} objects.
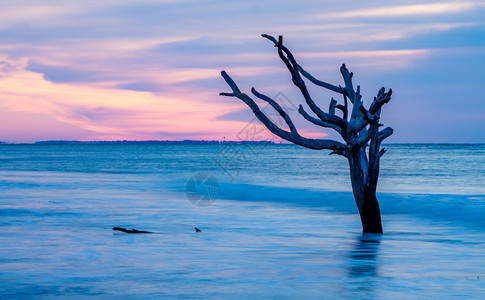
[{"x": 150, "y": 70}]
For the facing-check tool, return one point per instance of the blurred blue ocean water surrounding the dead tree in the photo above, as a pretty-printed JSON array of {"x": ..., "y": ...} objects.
[{"x": 277, "y": 221}]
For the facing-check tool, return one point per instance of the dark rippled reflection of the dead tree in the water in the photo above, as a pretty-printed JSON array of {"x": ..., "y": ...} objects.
[{"x": 363, "y": 257}]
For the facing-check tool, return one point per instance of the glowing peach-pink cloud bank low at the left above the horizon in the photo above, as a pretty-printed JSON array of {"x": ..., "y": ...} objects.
[{"x": 113, "y": 112}]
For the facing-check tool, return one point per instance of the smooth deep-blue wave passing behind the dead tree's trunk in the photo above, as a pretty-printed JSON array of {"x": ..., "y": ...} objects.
[{"x": 464, "y": 210}]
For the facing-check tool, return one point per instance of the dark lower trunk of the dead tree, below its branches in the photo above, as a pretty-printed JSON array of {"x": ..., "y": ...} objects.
[{"x": 364, "y": 193}]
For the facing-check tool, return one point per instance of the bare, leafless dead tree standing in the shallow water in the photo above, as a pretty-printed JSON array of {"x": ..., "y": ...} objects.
[{"x": 358, "y": 126}]
